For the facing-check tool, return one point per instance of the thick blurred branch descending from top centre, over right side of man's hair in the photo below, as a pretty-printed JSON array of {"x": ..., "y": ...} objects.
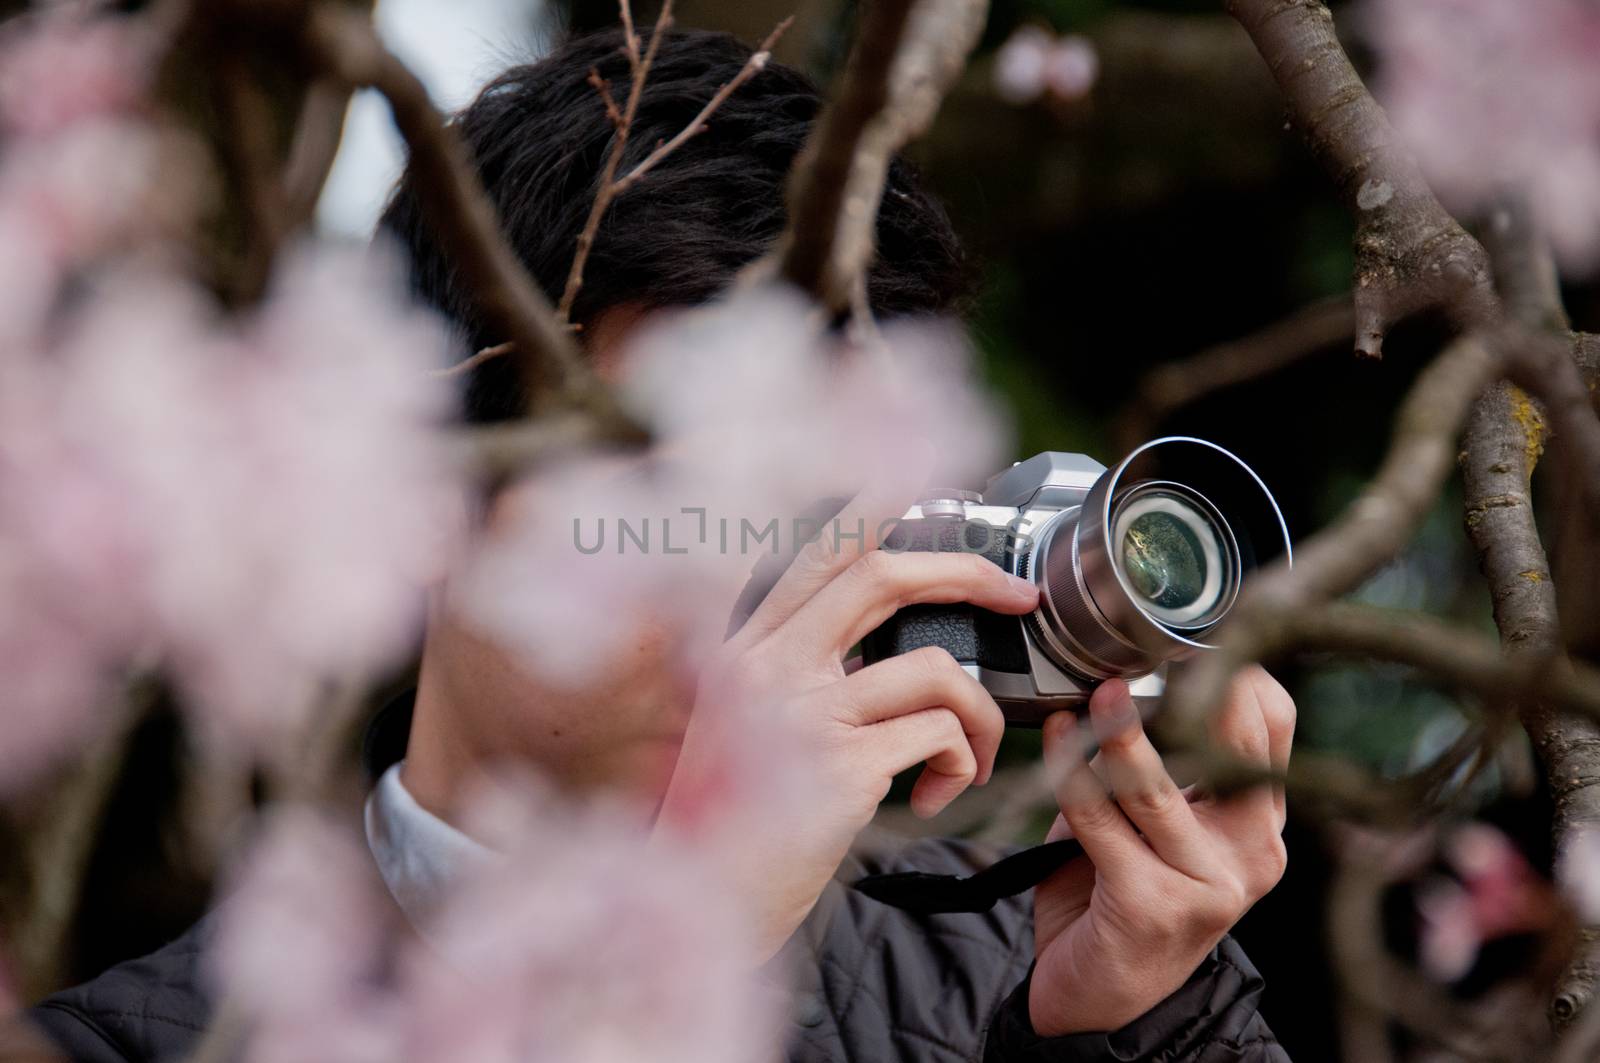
[{"x": 906, "y": 57}]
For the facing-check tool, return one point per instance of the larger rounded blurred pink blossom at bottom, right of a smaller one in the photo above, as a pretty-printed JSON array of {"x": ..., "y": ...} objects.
[{"x": 591, "y": 944}]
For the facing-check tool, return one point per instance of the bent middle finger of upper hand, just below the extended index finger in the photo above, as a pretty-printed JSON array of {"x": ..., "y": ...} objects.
[{"x": 926, "y": 680}]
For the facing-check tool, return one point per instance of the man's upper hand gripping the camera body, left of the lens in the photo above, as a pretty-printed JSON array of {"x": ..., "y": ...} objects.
[{"x": 855, "y": 732}]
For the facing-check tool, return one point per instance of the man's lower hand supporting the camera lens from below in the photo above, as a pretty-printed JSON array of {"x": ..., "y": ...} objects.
[{"x": 1164, "y": 878}]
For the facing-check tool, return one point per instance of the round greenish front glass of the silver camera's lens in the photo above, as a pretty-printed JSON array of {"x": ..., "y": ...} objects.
[{"x": 1172, "y": 556}]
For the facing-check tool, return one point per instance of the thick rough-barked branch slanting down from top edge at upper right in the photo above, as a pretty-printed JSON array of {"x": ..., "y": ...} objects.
[{"x": 1410, "y": 254}]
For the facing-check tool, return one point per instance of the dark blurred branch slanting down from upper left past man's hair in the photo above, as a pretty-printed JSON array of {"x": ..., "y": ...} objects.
[{"x": 463, "y": 215}]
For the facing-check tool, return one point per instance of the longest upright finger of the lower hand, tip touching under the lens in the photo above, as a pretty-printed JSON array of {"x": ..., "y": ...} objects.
[{"x": 1140, "y": 782}]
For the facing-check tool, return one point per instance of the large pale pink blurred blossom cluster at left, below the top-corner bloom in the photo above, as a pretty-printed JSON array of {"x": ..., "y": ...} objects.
[{"x": 257, "y": 507}]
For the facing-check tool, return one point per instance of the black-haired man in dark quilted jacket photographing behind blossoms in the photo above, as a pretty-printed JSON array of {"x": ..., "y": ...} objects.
[{"x": 1119, "y": 957}]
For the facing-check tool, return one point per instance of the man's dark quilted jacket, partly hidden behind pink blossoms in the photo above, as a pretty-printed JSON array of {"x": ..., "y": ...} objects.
[{"x": 873, "y": 984}]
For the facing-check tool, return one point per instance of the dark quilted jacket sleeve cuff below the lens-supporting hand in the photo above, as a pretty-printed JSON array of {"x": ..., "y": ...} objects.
[{"x": 1212, "y": 1019}]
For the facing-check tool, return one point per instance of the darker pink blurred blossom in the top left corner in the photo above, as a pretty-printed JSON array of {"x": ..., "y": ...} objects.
[{"x": 62, "y": 66}]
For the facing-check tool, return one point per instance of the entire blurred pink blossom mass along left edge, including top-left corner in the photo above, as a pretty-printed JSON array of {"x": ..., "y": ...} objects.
[{"x": 250, "y": 505}]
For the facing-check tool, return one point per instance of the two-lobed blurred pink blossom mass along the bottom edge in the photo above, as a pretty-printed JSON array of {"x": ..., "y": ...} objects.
[{"x": 580, "y": 942}]
